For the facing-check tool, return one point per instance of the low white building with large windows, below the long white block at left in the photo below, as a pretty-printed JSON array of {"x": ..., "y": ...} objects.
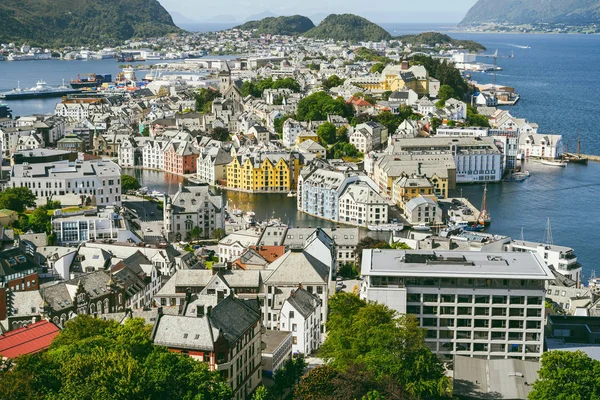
[{"x": 81, "y": 226}]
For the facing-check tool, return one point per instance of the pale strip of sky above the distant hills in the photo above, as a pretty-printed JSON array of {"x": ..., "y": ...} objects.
[{"x": 422, "y": 11}]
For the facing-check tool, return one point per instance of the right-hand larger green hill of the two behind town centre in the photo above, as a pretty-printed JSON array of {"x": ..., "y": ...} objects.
[{"x": 348, "y": 27}]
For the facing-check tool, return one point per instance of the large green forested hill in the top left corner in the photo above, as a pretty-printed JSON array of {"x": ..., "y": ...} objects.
[{"x": 55, "y": 23}]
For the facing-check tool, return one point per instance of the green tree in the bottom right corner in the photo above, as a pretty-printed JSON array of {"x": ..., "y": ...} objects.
[{"x": 567, "y": 375}]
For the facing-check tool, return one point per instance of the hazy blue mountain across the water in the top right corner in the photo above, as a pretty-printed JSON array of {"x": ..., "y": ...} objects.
[{"x": 575, "y": 12}]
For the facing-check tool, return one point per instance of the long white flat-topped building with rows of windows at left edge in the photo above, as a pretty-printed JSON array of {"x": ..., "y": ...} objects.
[{"x": 99, "y": 180}]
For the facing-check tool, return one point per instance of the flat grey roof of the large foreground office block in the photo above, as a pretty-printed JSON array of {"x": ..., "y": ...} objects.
[{"x": 459, "y": 264}]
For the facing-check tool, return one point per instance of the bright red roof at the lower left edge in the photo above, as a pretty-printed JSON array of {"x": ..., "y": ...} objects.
[{"x": 28, "y": 340}]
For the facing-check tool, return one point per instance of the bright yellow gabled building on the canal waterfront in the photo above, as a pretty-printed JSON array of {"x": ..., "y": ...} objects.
[{"x": 263, "y": 172}]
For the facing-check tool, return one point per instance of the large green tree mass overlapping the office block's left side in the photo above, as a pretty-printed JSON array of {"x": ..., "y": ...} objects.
[{"x": 398, "y": 352}]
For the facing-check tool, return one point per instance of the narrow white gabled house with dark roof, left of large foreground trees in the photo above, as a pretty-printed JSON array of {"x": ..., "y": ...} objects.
[{"x": 301, "y": 315}]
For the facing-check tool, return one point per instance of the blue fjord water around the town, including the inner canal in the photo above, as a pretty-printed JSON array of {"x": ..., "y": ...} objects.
[{"x": 557, "y": 80}]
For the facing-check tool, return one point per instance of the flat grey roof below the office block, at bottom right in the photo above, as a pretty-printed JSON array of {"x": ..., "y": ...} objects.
[{"x": 494, "y": 379}]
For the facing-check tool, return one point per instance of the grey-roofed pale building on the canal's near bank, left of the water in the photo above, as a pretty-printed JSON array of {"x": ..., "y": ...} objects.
[{"x": 191, "y": 207}]
